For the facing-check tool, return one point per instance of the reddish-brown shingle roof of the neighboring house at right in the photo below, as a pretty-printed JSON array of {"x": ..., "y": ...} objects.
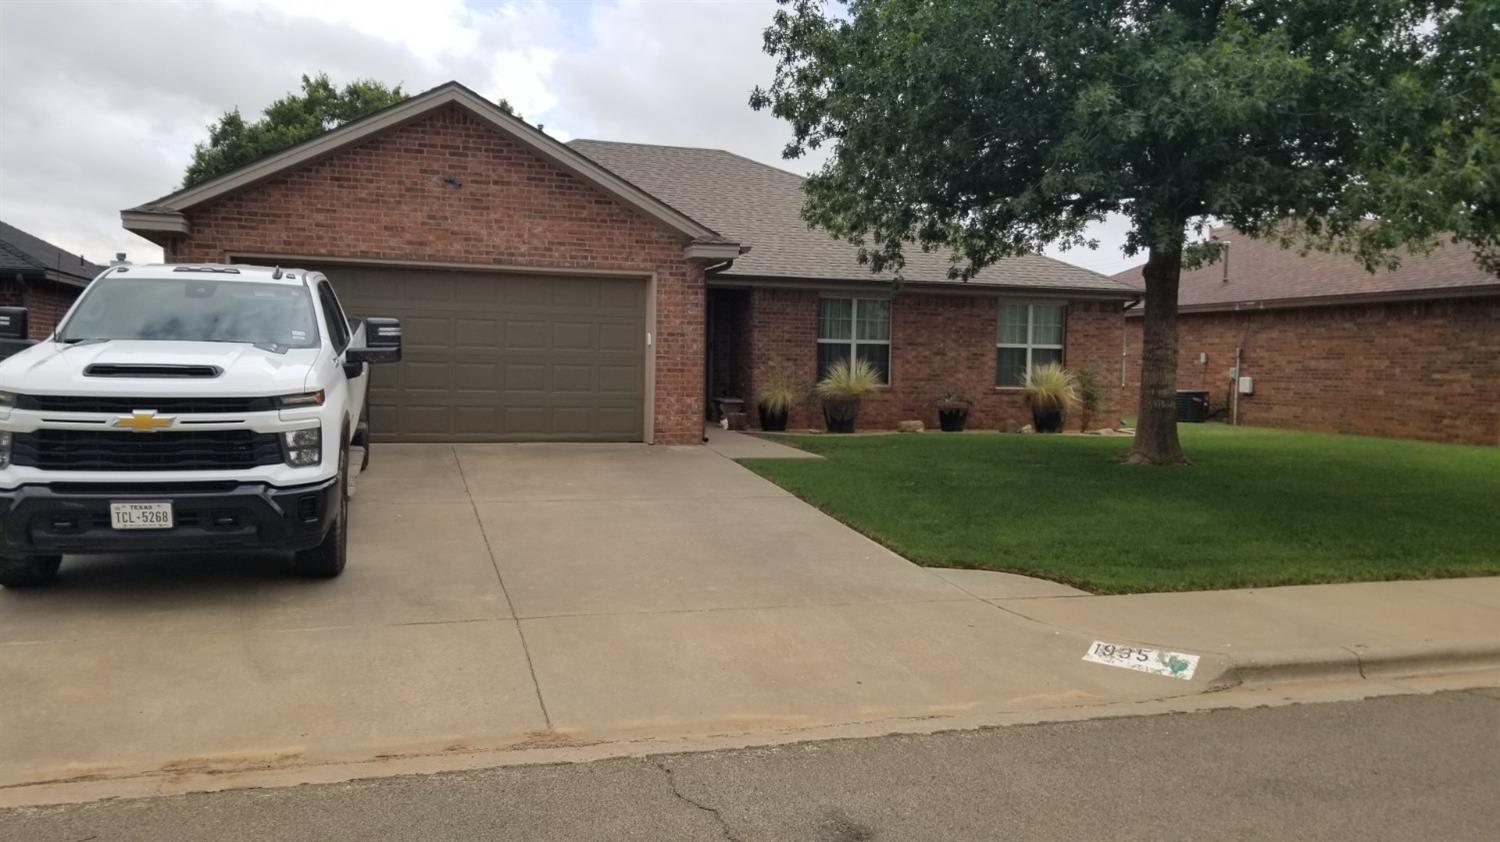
[{"x": 1261, "y": 271}]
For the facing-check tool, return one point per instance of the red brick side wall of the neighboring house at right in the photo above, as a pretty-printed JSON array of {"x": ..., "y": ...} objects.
[{"x": 1427, "y": 370}]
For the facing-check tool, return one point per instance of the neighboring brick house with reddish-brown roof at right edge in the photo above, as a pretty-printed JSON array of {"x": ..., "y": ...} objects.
[{"x": 1412, "y": 352}]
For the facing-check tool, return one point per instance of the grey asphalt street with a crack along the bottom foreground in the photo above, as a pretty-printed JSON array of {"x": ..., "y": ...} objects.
[{"x": 1399, "y": 768}]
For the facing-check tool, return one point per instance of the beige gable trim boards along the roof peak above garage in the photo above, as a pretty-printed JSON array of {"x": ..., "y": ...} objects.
[{"x": 166, "y": 215}]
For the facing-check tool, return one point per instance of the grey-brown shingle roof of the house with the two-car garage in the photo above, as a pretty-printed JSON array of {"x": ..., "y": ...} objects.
[{"x": 761, "y": 206}]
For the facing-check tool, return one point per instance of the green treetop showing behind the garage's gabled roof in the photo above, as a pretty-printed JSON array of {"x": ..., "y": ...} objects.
[{"x": 296, "y": 118}]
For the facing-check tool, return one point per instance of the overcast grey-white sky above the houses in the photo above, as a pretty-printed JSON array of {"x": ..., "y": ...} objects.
[{"x": 103, "y": 100}]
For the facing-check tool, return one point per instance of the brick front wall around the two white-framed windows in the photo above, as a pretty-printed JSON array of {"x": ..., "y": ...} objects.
[{"x": 940, "y": 343}]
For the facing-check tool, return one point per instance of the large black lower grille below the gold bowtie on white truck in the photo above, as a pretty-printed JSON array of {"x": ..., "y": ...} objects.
[{"x": 197, "y": 451}]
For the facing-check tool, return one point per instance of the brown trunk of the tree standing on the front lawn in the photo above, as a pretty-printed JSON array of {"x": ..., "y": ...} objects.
[{"x": 1157, "y": 427}]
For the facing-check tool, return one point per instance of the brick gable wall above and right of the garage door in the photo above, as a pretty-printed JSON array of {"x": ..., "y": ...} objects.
[{"x": 388, "y": 200}]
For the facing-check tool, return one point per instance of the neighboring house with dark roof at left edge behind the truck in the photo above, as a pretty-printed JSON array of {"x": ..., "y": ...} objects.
[{"x": 41, "y": 277}]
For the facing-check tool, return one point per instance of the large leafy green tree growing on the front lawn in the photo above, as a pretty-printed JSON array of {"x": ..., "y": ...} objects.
[{"x": 1000, "y": 127}]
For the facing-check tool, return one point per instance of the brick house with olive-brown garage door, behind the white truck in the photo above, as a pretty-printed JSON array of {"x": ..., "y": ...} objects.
[{"x": 566, "y": 292}]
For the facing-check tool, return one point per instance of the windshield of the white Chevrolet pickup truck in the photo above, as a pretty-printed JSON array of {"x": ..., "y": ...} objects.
[{"x": 194, "y": 311}]
